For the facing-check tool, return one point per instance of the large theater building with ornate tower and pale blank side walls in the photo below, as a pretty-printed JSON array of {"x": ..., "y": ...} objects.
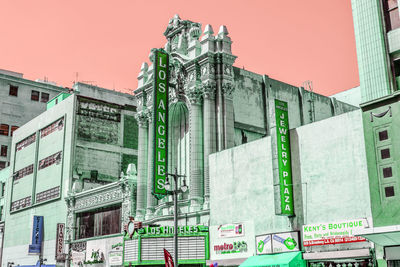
[{"x": 227, "y": 137}]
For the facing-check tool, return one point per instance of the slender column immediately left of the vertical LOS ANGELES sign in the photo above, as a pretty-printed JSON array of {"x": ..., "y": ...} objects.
[{"x": 151, "y": 200}]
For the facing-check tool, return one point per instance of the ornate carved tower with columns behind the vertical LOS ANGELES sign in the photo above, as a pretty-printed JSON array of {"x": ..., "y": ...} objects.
[{"x": 201, "y": 113}]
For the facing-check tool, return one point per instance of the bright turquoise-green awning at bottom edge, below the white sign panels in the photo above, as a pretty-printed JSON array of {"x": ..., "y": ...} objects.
[{"x": 289, "y": 259}]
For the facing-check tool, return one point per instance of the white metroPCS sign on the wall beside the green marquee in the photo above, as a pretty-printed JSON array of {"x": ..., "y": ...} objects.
[{"x": 230, "y": 241}]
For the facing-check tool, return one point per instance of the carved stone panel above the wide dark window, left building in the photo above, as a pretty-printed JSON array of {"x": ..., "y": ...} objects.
[{"x": 100, "y": 199}]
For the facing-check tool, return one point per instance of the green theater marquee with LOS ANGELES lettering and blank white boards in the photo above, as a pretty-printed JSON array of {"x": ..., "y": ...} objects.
[{"x": 145, "y": 246}]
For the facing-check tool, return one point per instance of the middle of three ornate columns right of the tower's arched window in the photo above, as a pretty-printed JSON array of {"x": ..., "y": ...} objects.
[{"x": 210, "y": 141}]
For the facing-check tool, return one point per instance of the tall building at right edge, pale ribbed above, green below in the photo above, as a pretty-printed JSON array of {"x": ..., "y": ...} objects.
[{"x": 377, "y": 29}]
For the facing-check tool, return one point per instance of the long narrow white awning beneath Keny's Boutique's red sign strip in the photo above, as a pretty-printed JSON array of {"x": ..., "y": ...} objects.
[{"x": 340, "y": 254}]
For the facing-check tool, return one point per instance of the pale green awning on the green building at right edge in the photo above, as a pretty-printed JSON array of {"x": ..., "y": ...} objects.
[{"x": 384, "y": 236}]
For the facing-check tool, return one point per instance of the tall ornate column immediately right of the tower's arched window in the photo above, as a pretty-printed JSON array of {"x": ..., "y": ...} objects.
[{"x": 196, "y": 192}]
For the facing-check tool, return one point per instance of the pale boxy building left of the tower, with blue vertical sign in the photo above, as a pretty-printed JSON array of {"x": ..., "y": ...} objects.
[{"x": 77, "y": 145}]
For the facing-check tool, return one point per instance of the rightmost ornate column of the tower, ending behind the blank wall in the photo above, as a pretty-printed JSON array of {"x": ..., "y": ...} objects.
[{"x": 229, "y": 120}]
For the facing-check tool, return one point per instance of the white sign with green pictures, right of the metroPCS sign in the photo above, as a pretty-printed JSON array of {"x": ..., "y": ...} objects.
[{"x": 277, "y": 243}]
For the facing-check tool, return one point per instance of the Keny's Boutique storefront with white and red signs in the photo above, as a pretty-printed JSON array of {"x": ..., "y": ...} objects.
[{"x": 335, "y": 244}]
